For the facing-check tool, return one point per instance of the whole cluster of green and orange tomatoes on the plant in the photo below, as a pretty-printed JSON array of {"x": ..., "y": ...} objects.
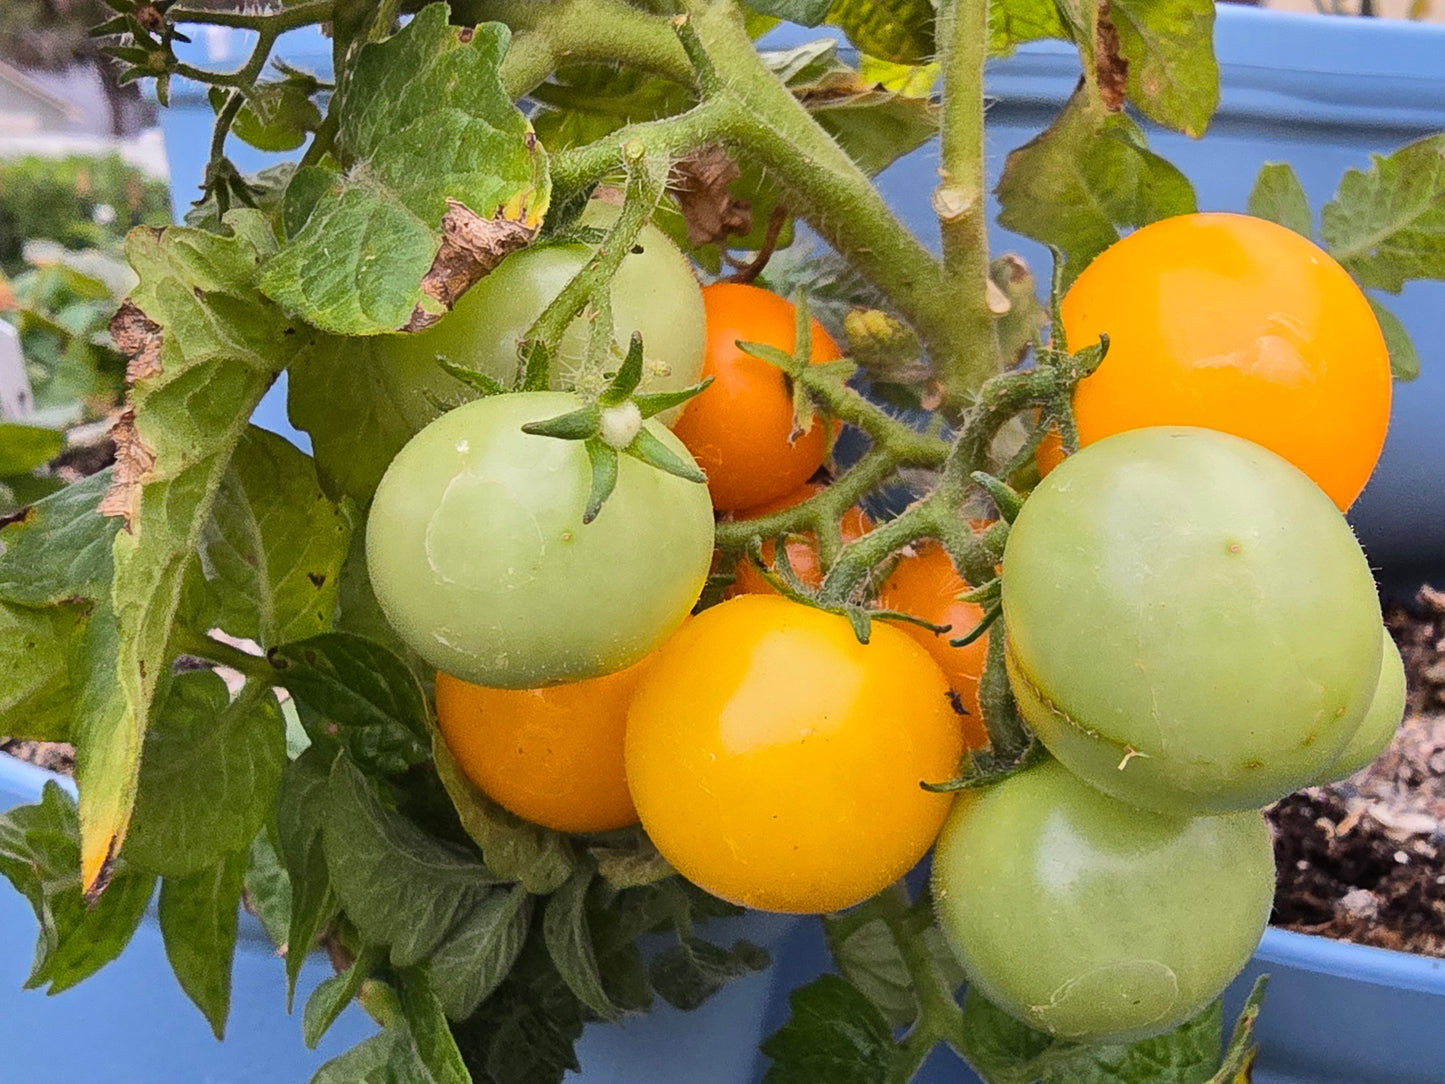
[{"x": 1191, "y": 628}]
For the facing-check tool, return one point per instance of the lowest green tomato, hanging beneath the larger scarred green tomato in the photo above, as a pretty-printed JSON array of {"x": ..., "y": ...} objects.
[{"x": 1090, "y": 920}]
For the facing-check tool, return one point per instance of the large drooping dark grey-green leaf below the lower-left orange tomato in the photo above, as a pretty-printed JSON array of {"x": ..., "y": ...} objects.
[{"x": 400, "y": 885}]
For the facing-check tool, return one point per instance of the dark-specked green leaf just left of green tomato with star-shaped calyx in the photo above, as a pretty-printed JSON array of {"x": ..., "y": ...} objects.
[{"x": 269, "y": 560}]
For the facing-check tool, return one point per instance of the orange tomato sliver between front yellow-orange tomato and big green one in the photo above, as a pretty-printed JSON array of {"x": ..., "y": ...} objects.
[{"x": 926, "y": 585}]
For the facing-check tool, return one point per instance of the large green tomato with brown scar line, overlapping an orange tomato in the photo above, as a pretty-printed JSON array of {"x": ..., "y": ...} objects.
[{"x": 1193, "y": 627}]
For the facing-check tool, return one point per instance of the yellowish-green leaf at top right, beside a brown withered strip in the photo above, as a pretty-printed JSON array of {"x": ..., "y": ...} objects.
[{"x": 1173, "y": 74}]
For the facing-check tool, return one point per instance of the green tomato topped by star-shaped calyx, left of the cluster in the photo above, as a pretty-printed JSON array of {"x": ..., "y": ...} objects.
[{"x": 482, "y": 563}]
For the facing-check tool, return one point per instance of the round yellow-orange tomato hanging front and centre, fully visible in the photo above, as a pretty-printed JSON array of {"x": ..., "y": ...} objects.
[{"x": 777, "y": 762}]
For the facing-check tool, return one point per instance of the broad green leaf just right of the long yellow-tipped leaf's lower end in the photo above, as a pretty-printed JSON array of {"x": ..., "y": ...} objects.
[{"x": 209, "y": 777}]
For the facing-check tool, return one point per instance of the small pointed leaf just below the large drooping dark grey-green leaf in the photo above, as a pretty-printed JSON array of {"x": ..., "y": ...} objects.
[{"x": 480, "y": 952}]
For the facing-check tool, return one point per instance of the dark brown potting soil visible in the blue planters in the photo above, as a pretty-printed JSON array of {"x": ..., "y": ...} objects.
[{"x": 1362, "y": 861}]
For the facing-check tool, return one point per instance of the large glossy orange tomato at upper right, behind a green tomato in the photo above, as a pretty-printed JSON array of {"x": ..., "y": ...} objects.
[{"x": 1238, "y": 324}]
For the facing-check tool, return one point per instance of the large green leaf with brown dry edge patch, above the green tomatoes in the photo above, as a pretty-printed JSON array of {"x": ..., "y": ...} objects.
[{"x": 374, "y": 255}]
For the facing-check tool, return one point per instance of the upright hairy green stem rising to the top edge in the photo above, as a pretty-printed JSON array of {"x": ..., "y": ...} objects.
[{"x": 962, "y": 203}]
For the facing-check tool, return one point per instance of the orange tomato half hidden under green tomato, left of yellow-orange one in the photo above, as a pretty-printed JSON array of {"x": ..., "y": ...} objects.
[{"x": 553, "y": 757}]
